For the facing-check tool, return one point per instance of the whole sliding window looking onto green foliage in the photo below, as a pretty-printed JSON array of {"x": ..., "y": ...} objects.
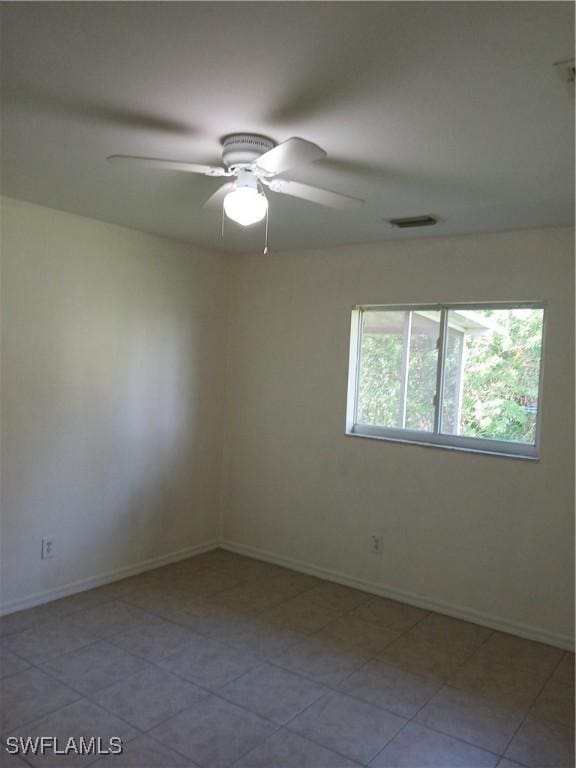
[{"x": 459, "y": 376}]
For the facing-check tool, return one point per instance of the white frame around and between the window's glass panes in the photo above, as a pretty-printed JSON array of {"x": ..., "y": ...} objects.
[{"x": 436, "y": 438}]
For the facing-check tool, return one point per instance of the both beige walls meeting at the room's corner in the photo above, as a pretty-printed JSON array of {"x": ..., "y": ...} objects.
[{"x": 113, "y": 368}]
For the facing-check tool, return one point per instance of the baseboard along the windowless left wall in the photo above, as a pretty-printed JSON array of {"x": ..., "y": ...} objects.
[{"x": 39, "y": 598}]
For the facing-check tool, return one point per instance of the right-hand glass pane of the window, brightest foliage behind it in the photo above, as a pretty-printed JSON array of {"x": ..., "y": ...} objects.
[{"x": 491, "y": 373}]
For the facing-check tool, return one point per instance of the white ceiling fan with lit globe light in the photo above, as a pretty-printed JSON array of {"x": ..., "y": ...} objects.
[{"x": 254, "y": 162}]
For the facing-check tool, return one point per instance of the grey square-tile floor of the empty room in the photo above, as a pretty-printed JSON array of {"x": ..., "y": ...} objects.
[{"x": 221, "y": 661}]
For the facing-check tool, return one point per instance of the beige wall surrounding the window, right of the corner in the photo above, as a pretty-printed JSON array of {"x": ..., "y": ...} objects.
[{"x": 478, "y": 535}]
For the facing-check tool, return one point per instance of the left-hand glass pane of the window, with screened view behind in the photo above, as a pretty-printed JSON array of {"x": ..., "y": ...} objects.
[{"x": 398, "y": 362}]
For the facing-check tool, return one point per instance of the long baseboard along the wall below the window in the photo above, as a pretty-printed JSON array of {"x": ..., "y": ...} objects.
[{"x": 420, "y": 601}]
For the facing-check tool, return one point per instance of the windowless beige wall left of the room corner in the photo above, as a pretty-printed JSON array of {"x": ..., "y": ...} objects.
[{"x": 113, "y": 353}]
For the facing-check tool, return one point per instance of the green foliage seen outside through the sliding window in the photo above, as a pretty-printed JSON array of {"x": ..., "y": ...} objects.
[{"x": 499, "y": 392}]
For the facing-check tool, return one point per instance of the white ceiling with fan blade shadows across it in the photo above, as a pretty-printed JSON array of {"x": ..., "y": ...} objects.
[{"x": 448, "y": 108}]
